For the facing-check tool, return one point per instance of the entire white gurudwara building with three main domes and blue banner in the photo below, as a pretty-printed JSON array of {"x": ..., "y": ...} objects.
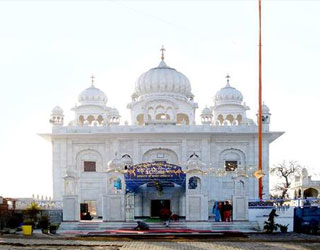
[{"x": 163, "y": 158}]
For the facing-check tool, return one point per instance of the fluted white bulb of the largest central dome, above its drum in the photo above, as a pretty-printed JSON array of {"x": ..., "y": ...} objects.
[{"x": 163, "y": 79}]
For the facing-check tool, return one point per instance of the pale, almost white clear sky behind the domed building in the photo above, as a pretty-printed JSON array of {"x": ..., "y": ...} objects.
[{"x": 49, "y": 50}]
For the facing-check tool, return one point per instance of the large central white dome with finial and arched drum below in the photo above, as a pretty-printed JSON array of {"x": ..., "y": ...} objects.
[{"x": 167, "y": 88}]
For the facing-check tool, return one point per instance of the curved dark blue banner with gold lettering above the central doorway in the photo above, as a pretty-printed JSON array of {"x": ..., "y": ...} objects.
[{"x": 150, "y": 172}]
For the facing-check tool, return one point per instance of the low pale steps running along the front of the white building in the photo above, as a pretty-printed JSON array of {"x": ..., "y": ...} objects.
[{"x": 98, "y": 226}]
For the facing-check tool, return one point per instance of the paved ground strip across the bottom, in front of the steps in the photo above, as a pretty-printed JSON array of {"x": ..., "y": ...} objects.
[{"x": 262, "y": 241}]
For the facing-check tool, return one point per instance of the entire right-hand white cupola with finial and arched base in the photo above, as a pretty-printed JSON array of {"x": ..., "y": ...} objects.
[{"x": 228, "y": 107}]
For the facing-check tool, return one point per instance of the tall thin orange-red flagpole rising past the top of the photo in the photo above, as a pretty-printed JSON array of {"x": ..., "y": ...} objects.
[{"x": 260, "y": 104}]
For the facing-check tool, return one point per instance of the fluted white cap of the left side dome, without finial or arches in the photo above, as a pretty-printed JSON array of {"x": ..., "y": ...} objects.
[{"x": 93, "y": 96}]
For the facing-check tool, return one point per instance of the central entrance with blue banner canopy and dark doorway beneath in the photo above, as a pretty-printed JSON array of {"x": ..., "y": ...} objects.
[{"x": 156, "y": 185}]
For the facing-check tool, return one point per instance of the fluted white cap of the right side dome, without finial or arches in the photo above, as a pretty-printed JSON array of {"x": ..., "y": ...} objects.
[{"x": 228, "y": 94}]
